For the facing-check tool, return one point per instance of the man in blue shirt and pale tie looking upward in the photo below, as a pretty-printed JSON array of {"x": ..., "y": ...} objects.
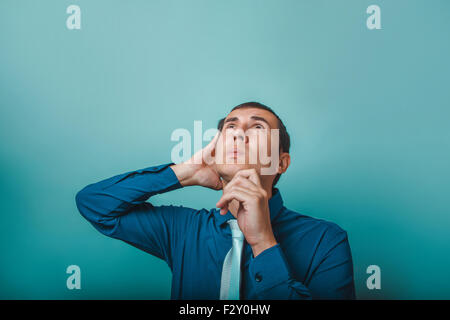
[{"x": 251, "y": 246}]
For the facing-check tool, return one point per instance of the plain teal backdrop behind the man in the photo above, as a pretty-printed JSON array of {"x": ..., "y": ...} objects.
[{"x": 367, "y": 111}]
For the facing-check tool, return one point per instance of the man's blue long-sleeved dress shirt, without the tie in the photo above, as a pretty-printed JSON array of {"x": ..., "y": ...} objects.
[{"x": 311, "y": 260}]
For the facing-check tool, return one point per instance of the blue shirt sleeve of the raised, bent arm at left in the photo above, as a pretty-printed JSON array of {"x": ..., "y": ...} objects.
[{"x": 117, "y": 208}]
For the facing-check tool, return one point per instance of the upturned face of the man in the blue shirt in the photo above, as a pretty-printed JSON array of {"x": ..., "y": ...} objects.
[{"x": 246, "y": 141}]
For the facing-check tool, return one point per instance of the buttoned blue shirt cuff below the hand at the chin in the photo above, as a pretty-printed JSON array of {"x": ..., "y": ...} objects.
[{"x": 269, "y": 269}]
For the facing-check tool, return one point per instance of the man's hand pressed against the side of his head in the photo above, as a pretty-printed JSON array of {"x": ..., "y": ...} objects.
[{"x": 200, "y": 169}]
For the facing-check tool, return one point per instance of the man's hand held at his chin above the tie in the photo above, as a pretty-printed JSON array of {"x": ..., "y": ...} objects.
[{"x": 253, "y": 214}]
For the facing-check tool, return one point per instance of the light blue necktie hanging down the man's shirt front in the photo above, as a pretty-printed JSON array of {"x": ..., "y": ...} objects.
[{"x": 231, "y": 271}]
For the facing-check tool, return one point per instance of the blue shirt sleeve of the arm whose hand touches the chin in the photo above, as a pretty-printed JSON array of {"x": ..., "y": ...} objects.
[{"x": 332, "y": 279}]
